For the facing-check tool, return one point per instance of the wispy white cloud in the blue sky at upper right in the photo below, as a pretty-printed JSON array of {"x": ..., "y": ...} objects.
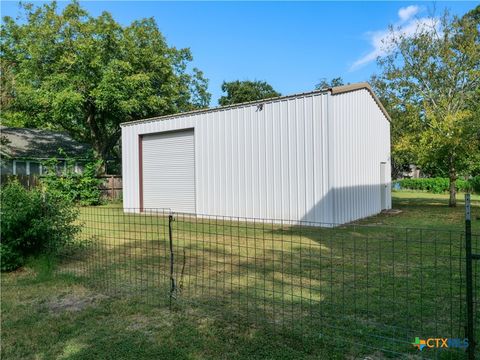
[{"x": 381, "y": 40}]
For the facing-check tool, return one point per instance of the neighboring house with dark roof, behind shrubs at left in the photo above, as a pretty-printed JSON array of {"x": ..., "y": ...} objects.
[{"x": 23, "y": 150}]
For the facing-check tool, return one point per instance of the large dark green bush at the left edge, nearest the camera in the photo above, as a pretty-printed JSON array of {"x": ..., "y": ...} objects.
[{"x": 33, "y": 222}]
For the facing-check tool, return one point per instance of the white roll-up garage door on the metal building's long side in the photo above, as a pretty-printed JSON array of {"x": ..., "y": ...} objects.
[{"x": 168, "y": 165}]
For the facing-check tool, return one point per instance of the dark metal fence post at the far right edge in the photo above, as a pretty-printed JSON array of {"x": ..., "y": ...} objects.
[{"x": 469, "y": 279}]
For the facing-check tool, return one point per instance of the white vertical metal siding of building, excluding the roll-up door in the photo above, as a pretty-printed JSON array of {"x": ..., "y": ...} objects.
[{"x": 293, "y": 159}]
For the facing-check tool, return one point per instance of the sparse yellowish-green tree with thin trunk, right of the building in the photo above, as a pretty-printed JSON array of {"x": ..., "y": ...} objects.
[{"x": 431, "y": 82}]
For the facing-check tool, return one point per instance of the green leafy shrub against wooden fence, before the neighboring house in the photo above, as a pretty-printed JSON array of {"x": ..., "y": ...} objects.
[{"x": 82, "y": 188}]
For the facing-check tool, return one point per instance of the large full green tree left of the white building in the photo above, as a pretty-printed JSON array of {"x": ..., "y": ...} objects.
[{"x": 85, "y": 75}]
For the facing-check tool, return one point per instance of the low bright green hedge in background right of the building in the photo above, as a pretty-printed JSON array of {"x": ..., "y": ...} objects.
[{"x": 439, "y": 185}]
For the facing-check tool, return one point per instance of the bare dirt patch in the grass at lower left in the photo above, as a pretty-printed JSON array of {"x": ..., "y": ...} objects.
[{"x": 73, "y": 302}]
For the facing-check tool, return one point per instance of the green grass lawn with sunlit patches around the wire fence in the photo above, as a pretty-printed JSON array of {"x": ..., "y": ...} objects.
[{"x": 244, "y": 290}]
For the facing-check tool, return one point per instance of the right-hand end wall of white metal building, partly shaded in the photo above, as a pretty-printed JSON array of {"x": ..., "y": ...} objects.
[{"x": 359, "y": 140}]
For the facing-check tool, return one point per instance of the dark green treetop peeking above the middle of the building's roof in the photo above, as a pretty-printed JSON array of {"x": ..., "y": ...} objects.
[{"x": 243, "y": 91}]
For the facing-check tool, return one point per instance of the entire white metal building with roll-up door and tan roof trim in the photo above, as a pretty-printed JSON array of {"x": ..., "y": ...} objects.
[{"x": 322, "y": 156}]
